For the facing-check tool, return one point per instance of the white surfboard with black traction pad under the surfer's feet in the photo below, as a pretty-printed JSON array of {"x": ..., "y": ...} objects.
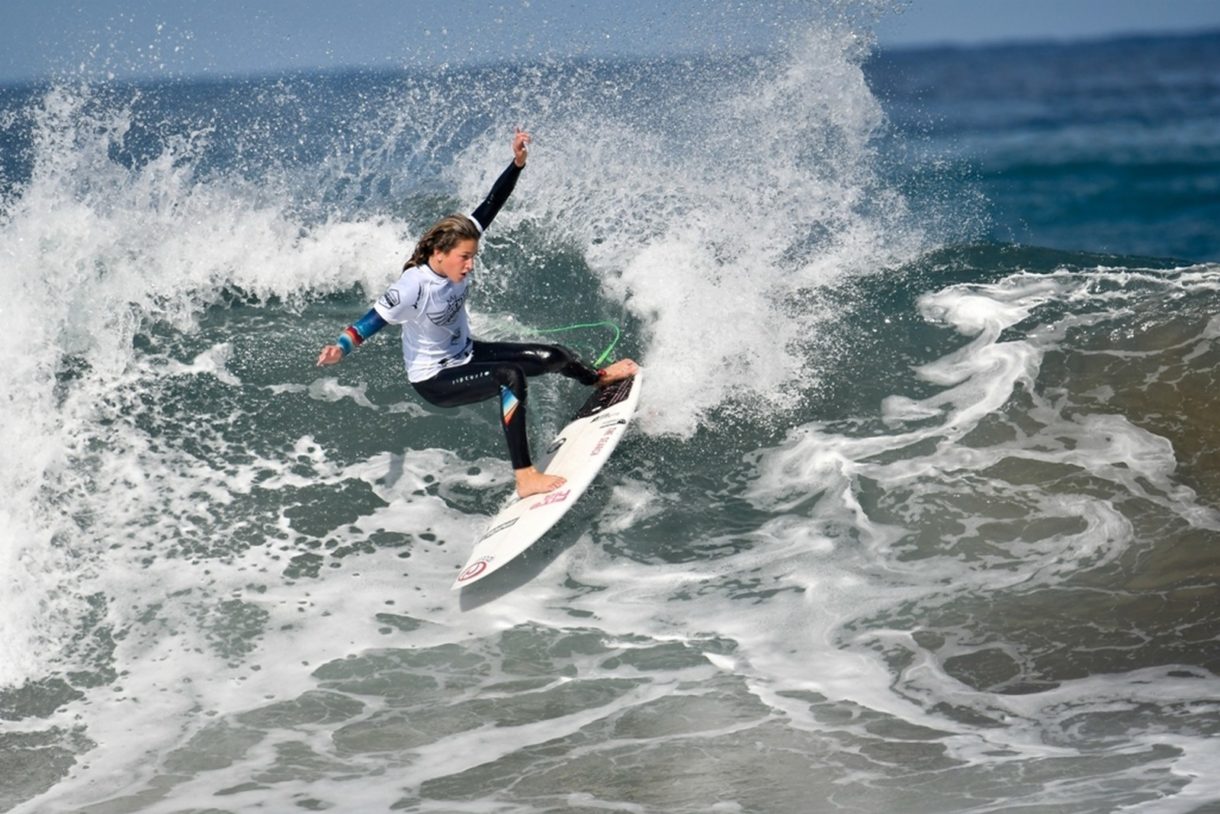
[{"x": 578, "y": 453}]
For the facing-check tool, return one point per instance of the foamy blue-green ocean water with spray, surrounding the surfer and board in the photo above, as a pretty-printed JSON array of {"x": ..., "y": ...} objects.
[{"x": 920, "y": 512}]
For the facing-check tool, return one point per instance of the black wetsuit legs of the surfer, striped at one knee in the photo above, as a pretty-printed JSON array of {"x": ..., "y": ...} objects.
[{"x": 501, "y": 369}]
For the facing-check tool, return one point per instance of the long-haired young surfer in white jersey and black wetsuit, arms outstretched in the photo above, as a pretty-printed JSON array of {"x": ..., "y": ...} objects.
[{"x": 445, "y": 363}]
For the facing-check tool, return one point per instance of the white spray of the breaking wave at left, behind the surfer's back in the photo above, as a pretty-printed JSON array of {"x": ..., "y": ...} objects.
[{"x": 99, "y": 247}]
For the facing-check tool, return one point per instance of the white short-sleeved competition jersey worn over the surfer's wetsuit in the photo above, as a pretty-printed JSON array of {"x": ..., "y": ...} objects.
[{"x": 432, "y": 312}]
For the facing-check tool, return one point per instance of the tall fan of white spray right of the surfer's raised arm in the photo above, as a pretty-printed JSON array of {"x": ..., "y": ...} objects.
[{"x": 722, "y": 212}]
